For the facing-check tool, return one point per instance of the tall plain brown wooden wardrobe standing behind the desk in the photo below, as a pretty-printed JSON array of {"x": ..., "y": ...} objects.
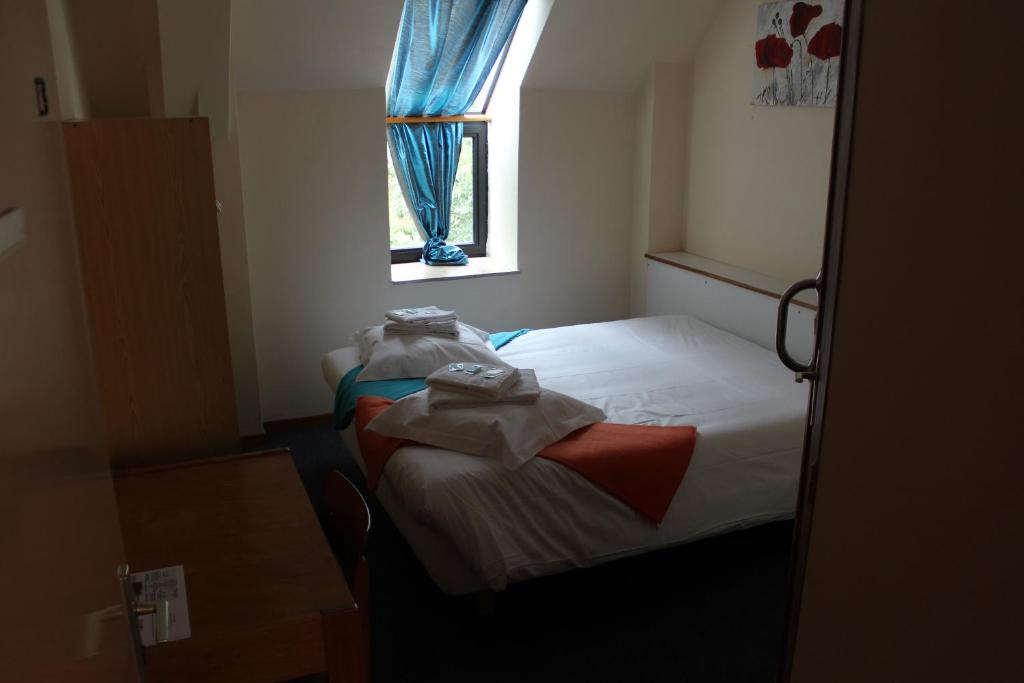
[{"x": 146, "y": 217}]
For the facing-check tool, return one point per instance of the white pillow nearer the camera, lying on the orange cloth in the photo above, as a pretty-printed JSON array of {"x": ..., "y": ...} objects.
[{"x": 513, "y": 434}]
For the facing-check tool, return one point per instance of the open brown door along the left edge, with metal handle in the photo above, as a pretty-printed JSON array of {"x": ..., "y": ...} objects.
[{"x": 60, "y": 536}]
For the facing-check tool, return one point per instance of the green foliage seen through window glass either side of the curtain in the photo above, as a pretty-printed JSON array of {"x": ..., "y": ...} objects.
[{"x": 404, "y": 231}]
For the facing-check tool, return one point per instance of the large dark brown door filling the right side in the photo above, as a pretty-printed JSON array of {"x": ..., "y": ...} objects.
[{"x": 909, "y": 567}]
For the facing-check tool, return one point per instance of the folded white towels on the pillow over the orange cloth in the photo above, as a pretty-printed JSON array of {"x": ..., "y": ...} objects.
[{"x": 472, "y": 386}]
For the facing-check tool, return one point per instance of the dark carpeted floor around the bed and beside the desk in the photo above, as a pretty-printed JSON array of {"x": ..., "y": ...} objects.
[{"x": 712, "y": 611}]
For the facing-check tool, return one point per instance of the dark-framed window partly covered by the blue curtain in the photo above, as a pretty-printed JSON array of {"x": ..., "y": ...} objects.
[{"x": 470, "y": 202}]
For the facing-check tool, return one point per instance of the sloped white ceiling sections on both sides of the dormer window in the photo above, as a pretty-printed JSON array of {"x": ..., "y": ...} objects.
[{"x": 607, "y": 46}]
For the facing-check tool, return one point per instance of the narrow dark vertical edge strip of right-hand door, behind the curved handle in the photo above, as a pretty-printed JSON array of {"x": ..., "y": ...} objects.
[{"x": 828, "y": 292}]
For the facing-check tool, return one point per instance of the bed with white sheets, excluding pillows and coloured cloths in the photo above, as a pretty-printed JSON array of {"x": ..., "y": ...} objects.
[{"x": 477, "y": 526}]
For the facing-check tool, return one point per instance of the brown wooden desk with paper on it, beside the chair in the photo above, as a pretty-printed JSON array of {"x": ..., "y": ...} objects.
[{"x": 267, "y": 599}]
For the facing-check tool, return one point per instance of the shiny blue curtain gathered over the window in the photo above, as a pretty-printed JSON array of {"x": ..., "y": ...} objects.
[{"x": 445, "y": 52}]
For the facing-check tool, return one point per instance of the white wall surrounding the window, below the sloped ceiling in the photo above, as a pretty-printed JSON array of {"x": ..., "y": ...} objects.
[{"x": 314, "y": 170}]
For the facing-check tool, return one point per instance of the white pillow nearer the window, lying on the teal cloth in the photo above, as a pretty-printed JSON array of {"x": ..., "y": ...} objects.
[{"x": 397, "y": 357}]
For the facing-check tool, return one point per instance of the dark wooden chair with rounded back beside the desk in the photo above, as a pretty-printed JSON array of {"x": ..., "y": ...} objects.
[{"x": 349, "y": 526}]
